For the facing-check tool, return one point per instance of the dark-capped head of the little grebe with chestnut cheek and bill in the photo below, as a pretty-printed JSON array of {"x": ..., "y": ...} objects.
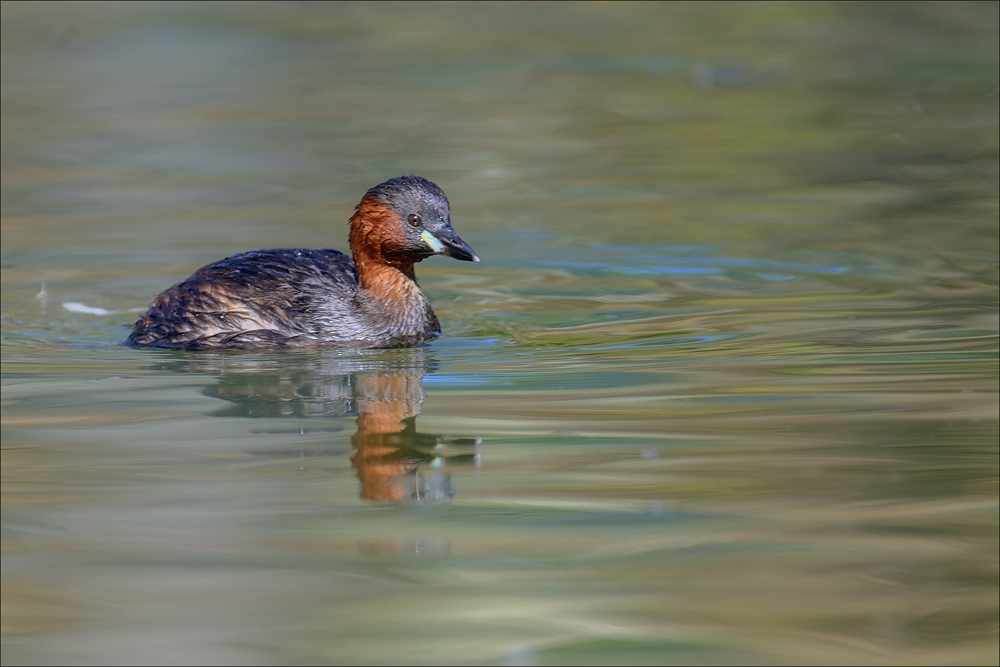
[{"x": 405, "y": 220}]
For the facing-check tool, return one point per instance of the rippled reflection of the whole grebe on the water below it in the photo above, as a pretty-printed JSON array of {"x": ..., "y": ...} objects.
[{"x": 394, "y": 462}]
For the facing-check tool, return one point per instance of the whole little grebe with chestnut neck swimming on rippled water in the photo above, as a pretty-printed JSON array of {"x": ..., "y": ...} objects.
[{"x": 295, "y": 297}]
